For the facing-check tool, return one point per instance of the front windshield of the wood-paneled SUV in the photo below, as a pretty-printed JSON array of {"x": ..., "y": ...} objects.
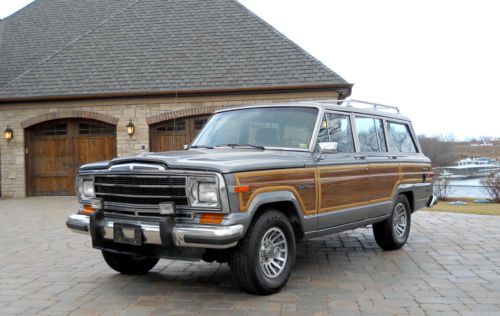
[{"x": 284, "y": 127}]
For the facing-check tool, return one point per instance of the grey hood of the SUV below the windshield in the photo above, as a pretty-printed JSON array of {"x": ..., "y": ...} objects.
[{"x": 219, "y": 160}]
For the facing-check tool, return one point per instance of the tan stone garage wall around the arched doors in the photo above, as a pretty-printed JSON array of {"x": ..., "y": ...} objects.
[{"x": 142, "y": 112}]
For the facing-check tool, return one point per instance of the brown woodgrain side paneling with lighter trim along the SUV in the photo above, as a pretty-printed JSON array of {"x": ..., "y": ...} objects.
[{"x": 328, "y": 189}]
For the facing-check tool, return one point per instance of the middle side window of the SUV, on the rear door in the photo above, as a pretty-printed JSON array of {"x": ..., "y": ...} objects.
[{"x": 370, "y": 134}]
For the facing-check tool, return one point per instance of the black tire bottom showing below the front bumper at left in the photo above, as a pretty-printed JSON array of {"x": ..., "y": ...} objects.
[{"x": 127, "y": 264}]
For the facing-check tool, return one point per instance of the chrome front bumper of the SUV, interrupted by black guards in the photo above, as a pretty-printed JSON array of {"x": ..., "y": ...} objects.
[{"x": 183, "y": 235}]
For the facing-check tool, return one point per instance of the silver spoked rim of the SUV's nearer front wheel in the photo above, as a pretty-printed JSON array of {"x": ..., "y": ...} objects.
[{"x": 273, "y": 252}]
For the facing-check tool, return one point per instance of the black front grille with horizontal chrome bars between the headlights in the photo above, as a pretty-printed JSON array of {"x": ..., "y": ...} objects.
[{"x": 140, "y": 194}]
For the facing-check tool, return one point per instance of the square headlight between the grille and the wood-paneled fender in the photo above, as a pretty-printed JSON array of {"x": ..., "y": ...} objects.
[{"x": 204, "y": 192}]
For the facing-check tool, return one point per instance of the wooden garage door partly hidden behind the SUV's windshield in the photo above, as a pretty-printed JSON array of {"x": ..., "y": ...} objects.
[{"x": 173, "y": 134}]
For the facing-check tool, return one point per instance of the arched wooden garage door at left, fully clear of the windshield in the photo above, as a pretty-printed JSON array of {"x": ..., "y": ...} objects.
[{"x": 56, "y": 149}]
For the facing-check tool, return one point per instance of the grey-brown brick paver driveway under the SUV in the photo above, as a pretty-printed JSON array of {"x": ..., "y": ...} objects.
[{"x": 451, "y": 264}]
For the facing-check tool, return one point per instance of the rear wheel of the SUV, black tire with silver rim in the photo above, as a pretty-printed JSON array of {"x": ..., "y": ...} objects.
[{"x": 389, "y": 234}]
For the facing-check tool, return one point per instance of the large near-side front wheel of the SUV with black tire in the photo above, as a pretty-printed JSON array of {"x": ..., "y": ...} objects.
[{"x": 245, "y": 261}]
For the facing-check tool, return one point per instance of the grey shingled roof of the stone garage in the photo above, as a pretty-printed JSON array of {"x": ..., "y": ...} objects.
[{"x": 70, "y": 48}]
